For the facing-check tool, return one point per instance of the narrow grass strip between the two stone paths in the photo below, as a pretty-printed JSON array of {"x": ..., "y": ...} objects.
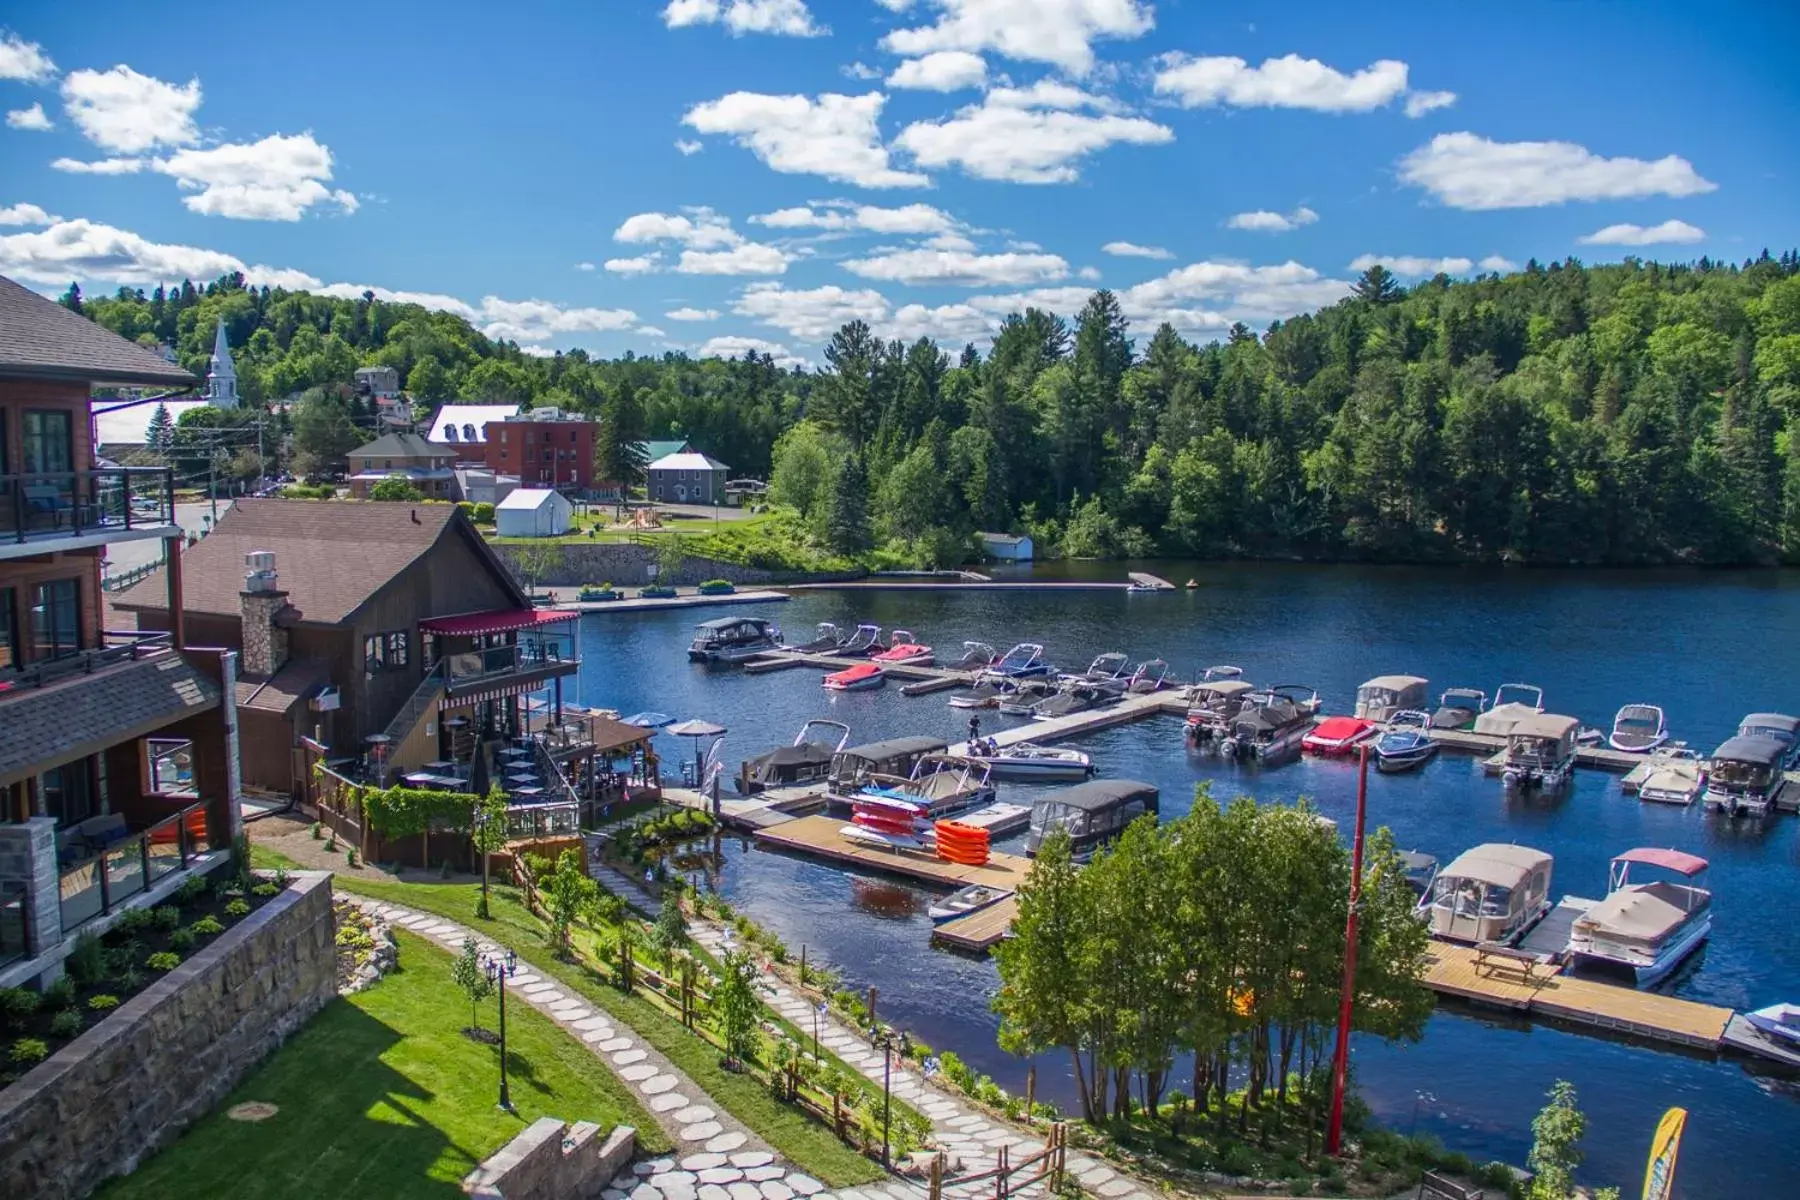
[{"x": 809, "y": 1145}]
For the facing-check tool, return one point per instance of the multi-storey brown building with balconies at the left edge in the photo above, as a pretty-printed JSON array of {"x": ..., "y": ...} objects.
[{"x": 118, "y": 771}]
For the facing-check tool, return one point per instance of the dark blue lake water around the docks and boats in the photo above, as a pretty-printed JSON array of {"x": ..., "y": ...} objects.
[{"x": 1705, "y": 647}]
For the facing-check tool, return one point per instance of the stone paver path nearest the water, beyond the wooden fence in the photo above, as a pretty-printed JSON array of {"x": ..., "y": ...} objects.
[{"x": 969, "y": 1136}]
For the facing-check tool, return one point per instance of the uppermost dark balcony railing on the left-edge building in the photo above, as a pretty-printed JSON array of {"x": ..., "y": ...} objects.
[{"x": 76, "y": 505}]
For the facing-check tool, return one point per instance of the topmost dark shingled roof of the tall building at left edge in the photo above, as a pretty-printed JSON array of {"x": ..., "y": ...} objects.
[{"x": 44, "y": 341}]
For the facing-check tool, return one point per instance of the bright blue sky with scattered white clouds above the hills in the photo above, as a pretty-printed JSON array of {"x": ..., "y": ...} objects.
[{"x": 708, "y": 175}]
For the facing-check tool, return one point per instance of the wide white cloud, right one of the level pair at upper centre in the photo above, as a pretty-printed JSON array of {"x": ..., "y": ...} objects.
[{"x": 1027, "y": 136}]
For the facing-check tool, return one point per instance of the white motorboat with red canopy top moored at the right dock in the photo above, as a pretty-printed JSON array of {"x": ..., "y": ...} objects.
[{"x": 1646, "y": 927}]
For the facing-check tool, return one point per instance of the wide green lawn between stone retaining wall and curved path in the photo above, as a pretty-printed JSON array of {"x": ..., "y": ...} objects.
[{"x": 382, "y": 1097}]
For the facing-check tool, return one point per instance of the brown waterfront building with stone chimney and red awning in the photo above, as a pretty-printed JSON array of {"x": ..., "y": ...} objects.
[{"x": 377, "y": 638}]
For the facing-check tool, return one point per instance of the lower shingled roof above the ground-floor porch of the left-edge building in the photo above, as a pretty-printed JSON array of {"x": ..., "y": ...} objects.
[{"x": 85, "y": 713}]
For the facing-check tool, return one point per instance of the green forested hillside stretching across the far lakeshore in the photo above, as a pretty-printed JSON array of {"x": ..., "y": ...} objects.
[{"x": 1601, "y": 415}]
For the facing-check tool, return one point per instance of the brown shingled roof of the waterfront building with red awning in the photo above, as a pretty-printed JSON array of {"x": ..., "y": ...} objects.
[{"x": 332, "y": 557}]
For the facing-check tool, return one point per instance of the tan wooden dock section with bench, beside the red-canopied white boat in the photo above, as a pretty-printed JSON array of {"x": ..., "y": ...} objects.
[{"x": 1581, "y": 1001}]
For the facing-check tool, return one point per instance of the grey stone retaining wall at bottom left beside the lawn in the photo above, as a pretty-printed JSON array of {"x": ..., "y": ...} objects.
[{"x": 168, "y": 1055}]
